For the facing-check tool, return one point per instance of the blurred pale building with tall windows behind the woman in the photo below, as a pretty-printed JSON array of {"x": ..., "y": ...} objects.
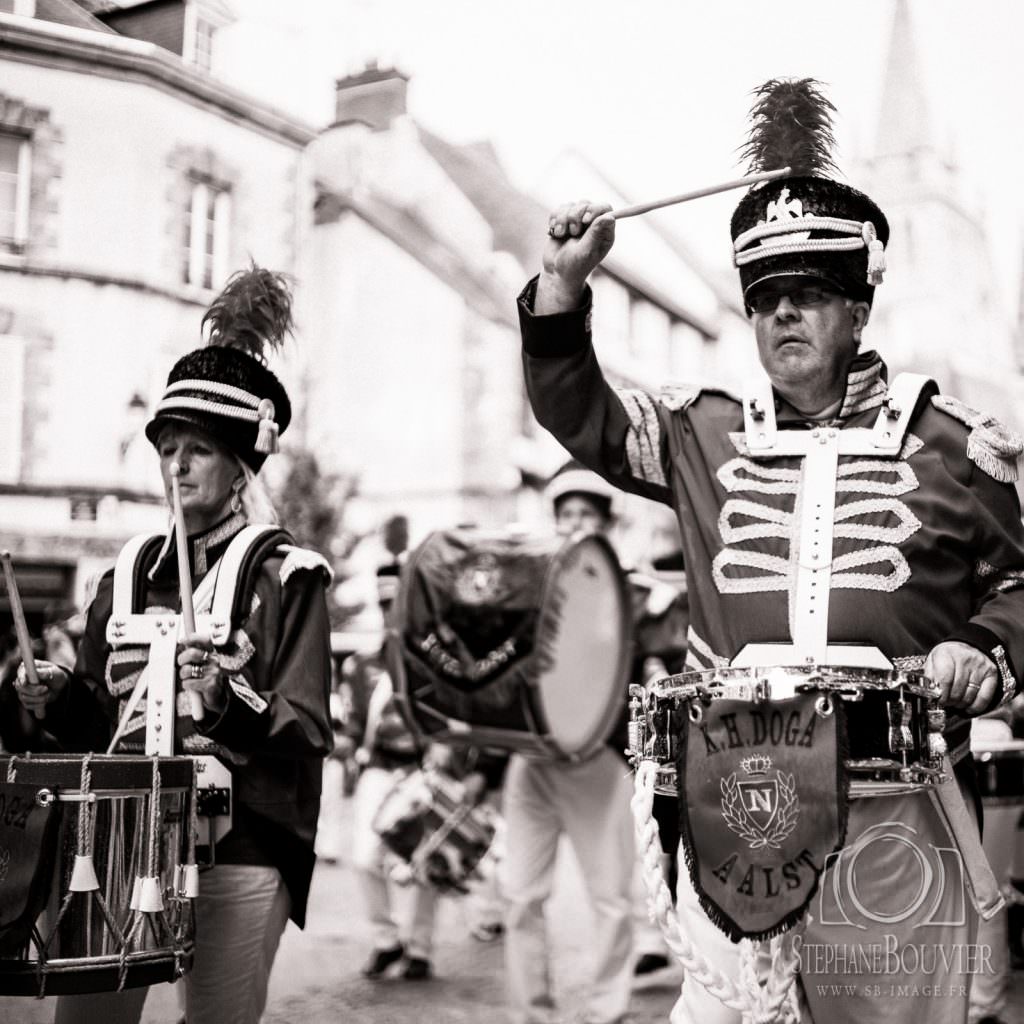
[{"x": 132, "y": 183}]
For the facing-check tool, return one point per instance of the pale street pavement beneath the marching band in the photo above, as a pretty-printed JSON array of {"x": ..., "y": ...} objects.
[{"x": 317, "y": 977}]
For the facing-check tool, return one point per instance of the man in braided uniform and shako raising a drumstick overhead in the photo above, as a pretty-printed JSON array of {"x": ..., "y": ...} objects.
[{"x": 904, "y": 540}]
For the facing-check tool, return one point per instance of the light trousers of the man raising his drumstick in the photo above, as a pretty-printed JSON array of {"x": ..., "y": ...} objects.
[{"x": 890, "y": 935}]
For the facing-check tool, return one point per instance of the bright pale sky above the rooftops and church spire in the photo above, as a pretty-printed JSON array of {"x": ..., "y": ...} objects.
[{"x": 656, "y": 92}]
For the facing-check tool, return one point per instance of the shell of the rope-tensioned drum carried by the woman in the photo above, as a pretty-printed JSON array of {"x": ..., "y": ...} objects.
[{"x": 83, "y": 955}]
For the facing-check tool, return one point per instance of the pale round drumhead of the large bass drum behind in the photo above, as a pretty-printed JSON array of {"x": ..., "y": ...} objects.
[{"x": 583, "y": 646}]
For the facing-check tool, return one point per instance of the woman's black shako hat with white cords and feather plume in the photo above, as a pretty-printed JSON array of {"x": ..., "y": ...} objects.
[{"x": 226, "y": 389}]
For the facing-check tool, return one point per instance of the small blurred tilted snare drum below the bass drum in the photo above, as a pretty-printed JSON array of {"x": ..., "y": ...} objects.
[{"x": 439, "y": 837}]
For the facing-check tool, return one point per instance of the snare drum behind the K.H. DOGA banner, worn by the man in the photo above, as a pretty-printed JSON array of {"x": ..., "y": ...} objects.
[{"x": 893, "y": 722}]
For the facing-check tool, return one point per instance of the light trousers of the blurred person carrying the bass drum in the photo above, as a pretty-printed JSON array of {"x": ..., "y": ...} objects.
[{"x": 590, "y": 804}]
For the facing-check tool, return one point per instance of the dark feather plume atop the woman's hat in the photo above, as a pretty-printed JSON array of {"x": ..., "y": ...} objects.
[{"x": 253, "y": 313}]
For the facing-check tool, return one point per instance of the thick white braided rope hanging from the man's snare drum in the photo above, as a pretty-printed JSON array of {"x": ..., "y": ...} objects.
[{"x": 774, "y": 1003}]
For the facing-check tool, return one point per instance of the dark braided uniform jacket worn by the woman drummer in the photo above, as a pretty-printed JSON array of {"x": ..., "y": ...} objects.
[{"x": 276, "y": 731}]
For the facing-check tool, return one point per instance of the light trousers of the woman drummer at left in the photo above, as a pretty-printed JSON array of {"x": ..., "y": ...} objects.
[{"x": 241, "y": 914}]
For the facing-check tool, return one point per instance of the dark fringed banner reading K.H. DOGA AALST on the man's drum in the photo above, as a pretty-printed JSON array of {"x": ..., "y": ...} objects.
[{"x": 763, "y": 803}]
